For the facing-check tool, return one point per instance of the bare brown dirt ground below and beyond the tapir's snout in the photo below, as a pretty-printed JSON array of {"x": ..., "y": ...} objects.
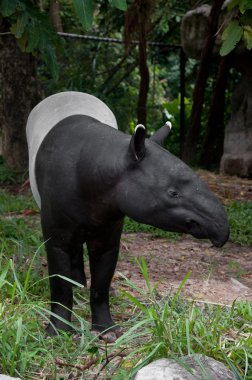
[{"x": 218, "y": 275}]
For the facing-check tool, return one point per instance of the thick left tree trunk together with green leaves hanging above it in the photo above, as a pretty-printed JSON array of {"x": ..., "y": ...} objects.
[{"x": 32, "y": 36}]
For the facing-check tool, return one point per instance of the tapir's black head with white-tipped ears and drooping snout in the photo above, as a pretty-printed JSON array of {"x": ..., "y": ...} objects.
[{"x": 161, "y": 190}]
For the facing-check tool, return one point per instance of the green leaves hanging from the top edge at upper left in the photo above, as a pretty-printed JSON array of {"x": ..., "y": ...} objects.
[{"x": 32, "y": 26}]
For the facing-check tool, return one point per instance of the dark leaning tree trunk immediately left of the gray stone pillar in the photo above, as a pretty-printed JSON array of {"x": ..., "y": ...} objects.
[{"x": 212, "y": 148}]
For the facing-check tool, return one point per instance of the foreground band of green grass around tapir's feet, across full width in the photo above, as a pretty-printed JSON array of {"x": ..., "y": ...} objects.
[{"x": 155, "y": 327}]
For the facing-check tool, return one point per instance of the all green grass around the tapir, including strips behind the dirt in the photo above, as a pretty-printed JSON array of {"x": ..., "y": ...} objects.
[{"x": 154, "y": 326}]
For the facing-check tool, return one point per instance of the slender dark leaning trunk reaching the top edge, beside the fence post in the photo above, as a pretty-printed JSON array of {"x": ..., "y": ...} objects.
[{"x": 199, "y": 90}]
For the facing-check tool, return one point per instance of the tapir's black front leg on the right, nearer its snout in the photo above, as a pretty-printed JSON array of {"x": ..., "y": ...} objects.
[{"x": 103, "y": 255}]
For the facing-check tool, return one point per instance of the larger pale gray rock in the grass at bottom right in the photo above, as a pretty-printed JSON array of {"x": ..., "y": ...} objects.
[{"x": 199, "y": 367}]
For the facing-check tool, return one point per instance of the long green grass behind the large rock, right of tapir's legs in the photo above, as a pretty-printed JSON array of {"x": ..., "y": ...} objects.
[{"x": 170, "y": 327}]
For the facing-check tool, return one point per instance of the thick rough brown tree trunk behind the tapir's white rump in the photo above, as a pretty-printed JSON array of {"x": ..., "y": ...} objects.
[{"x": 19, "y": 93}]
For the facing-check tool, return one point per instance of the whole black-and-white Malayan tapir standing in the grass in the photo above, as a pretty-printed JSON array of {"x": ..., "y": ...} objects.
[{"x": 86, "y": 175}]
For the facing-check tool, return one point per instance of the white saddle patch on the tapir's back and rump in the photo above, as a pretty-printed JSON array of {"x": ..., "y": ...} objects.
[{"x": 51, "y": 111}]
